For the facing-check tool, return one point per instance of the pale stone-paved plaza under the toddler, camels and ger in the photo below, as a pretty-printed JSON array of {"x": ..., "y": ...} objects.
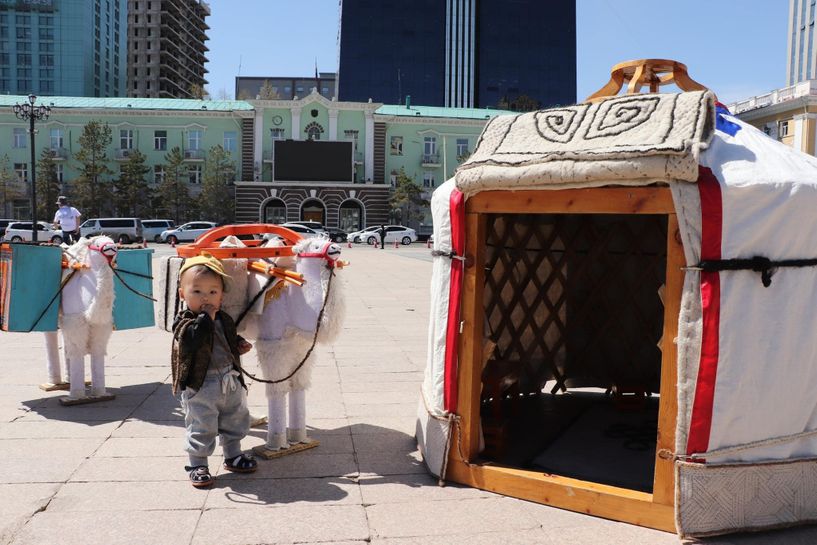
[{"x": 112, "y": 473}]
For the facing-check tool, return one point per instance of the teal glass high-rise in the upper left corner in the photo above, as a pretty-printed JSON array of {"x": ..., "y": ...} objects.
[{"x": 63, "y": 47}]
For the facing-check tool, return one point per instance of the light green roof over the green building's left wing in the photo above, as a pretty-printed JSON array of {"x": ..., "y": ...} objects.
[{"x": 131, "y": 103}]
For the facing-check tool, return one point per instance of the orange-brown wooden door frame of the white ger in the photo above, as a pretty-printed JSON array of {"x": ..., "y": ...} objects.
[{"x": 654, "y": 510}]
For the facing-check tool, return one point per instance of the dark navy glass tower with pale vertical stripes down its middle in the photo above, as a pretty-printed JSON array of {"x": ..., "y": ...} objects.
[{"x": 458, "y": 53}]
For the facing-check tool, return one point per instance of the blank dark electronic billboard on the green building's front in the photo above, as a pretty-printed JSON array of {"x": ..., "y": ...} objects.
[{"x": 313, "y": 161}]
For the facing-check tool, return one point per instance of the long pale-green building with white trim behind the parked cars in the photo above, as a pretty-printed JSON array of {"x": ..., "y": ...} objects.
[{"x": 336, "y": 162}]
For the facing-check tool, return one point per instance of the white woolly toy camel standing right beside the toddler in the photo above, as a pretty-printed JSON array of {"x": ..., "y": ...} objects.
[{"x": 286, "y": 330}]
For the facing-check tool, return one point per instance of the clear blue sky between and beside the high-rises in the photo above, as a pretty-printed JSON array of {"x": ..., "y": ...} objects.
[{"x": 736, "y": 48}]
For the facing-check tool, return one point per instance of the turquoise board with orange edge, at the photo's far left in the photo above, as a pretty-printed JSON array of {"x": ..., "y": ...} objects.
[{"x": 32, "y": 279}]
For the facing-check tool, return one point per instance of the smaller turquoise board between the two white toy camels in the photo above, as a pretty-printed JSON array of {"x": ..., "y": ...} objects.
[{"x": 131, "y": 310}]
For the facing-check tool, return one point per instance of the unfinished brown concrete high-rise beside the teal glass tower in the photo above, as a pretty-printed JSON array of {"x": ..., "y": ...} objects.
[{"x": 166, "y": 48}]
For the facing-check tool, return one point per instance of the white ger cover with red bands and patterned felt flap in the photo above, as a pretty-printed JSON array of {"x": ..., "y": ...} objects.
[{"x": 747, "y": 361}]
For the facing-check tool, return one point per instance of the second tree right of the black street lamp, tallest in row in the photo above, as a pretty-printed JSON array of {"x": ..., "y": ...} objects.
[{"x": 91, "y": 193}]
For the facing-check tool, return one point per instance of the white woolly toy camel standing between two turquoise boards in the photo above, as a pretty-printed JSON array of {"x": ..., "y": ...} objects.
[{"x": 87, "y": 314}]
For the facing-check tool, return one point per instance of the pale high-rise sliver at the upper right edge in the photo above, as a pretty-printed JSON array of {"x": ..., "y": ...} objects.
[{"x": 802, "y": 58}]
